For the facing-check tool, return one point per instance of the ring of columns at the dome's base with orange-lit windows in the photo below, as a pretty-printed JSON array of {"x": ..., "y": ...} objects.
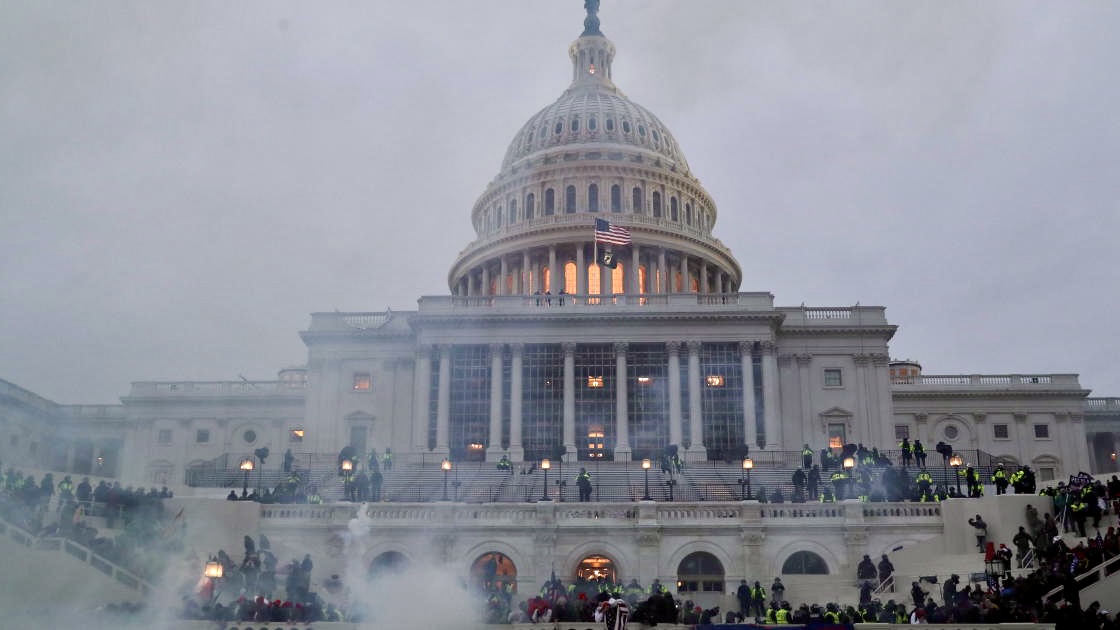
[{"x": 527, "y": 273}]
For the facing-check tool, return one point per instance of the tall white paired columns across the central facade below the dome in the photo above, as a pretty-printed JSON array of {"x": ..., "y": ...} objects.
[{"x": 772, "y": 415}]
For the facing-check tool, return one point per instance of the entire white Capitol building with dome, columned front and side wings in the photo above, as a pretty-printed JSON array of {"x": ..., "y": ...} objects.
[{"x": 596, "y": 321}]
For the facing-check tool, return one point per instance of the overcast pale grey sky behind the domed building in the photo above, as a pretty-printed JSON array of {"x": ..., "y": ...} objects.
[{"x": 183, "y": 183}]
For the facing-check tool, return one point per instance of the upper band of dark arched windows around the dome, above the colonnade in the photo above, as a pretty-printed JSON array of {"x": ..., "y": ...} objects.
[{"x": 571, "y": 203}]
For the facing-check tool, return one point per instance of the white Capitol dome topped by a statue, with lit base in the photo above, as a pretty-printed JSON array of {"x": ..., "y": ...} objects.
[{"x": 594, "y": 155}]
